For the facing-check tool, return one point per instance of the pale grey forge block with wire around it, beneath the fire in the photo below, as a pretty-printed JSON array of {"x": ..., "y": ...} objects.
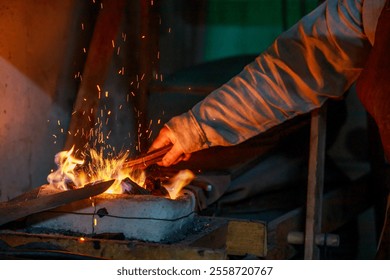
[{"x": 142, "y": 217}]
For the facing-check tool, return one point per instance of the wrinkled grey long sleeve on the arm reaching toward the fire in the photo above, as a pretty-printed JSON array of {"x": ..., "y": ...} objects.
[{"x": 318, "y": 58}]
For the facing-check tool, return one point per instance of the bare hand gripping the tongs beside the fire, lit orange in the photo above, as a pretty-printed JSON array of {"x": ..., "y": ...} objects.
[{"x": 173, "y": 156}]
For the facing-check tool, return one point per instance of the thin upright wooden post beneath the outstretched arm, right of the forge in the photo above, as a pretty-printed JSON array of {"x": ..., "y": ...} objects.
[{"x": 315, "y": 182}]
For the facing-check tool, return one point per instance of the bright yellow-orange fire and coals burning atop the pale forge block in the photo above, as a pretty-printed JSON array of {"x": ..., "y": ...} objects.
[{"x": 92, "y": 166}]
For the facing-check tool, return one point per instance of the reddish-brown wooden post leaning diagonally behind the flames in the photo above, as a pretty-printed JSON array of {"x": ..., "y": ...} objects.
[{"x": 94, "y": 74}]
